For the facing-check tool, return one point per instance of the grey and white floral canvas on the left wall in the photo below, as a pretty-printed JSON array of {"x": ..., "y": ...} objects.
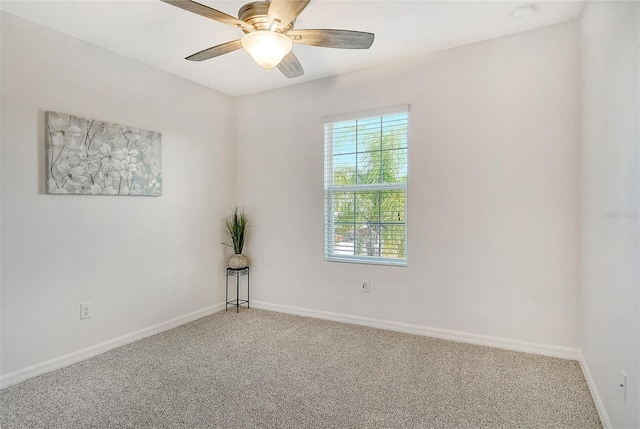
[{"x": 87, "y": 156}]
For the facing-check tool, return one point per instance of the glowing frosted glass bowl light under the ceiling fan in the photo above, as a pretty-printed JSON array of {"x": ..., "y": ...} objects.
[{"x": 267, "y": 48}]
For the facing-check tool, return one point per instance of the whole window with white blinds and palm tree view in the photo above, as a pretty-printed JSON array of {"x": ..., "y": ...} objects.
[{"x": 365, "y": 188}]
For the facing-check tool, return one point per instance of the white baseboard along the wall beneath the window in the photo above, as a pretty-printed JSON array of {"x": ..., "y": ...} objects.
[{"x": 445, "y": 334}]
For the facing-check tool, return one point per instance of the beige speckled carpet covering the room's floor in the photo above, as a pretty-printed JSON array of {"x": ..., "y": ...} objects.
[{"x": 260, "y": 369}]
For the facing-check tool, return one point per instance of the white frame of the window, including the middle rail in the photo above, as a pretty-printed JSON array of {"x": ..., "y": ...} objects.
[{"x": 330, "y": 189}]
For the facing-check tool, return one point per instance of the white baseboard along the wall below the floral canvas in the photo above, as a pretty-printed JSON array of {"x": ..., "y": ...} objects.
[{"x": 71, "y": 358}]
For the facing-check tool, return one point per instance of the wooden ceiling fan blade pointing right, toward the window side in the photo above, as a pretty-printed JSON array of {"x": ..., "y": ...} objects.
[{"x": 343, "y": 39}]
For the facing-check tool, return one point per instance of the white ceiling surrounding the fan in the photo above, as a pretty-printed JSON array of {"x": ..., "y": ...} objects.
[{"x": 161, "y": 35}]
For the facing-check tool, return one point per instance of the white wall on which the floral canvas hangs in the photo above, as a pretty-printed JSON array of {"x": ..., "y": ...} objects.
[{"x": 141, "y": 260}]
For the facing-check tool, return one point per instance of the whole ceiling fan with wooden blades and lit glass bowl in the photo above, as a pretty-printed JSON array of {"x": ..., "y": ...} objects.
[{"x": 269, "y": 33}]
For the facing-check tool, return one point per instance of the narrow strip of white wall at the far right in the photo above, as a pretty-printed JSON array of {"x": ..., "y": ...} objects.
[{"x": 610, "y": 321}]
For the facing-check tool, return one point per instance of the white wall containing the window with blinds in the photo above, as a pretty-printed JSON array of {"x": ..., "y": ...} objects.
[{"x": 493, "y": 190}]
